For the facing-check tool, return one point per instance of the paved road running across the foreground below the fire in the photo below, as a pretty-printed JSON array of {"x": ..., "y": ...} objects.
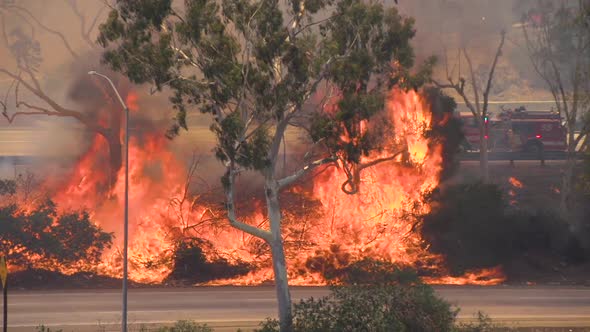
[{"x": 230, "y": 307}]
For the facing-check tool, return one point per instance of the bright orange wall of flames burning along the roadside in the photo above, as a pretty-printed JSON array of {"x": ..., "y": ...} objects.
[{"x": 178, "y": 234}]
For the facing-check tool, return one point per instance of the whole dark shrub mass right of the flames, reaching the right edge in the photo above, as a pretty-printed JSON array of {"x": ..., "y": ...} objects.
[{"x": 473, "y": 227}]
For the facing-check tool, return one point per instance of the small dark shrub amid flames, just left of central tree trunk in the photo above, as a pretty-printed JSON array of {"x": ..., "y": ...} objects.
[{"x": 190, "y": 264}]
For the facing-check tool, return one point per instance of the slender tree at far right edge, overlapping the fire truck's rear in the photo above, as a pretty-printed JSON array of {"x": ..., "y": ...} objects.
[{"x": 559, "y": 49}]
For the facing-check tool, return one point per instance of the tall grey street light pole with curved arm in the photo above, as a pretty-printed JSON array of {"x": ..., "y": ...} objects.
[{"x": 126, "y": 222}]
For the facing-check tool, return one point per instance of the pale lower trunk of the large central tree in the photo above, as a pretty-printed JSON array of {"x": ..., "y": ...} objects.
[{"x": 279, "y": 262}]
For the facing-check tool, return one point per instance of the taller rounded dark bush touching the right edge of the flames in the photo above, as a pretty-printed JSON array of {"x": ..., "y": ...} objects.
[{"x": 468, "y": 225}]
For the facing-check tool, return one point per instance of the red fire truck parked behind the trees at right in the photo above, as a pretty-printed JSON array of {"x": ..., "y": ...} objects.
[{"x": 520, "y": 131}]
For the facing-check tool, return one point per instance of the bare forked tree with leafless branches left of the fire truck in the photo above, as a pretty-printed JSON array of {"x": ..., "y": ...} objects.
[{"x": 472, "y": 96}]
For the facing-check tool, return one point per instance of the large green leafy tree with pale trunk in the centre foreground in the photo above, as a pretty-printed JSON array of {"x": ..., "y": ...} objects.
[{"x": 256, "y": 66}]
